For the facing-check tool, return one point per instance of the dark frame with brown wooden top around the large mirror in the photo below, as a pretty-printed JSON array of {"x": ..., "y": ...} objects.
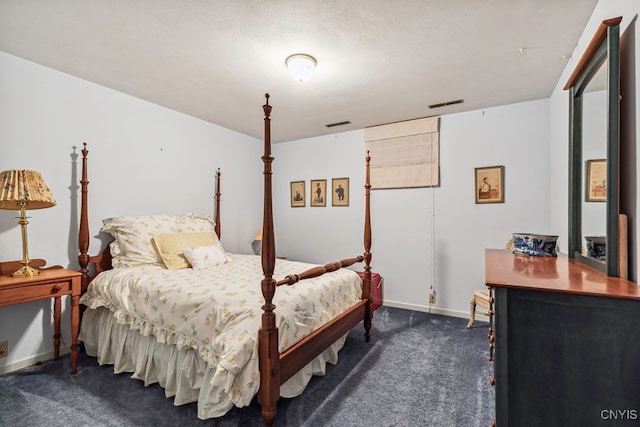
[{"x": 603, "y": 47}]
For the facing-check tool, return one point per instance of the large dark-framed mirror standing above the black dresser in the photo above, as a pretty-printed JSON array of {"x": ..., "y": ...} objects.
[{"x": 594, "y": 237}]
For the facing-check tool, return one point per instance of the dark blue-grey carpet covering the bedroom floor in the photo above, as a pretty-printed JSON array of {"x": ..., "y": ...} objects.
[{"x": 419, "y": 369}]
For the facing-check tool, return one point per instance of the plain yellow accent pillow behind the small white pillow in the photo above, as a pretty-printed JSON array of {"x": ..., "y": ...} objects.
[{"x": 170, "y": 246}]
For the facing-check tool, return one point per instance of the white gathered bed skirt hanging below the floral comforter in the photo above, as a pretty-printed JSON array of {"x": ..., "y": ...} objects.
[{"x": 182, "y": 374}]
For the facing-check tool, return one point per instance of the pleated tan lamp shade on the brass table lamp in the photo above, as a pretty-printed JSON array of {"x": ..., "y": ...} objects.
[{"x": 18, "y": 187}]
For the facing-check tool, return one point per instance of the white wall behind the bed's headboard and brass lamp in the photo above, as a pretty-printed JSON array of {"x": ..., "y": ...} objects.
[{"x": 143, "y": 159}]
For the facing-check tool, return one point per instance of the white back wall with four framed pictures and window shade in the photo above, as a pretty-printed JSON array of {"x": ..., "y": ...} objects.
[{"x": 411, "y": 225}]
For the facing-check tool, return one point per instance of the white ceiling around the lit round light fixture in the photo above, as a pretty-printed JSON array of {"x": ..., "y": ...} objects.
[{"x": 379, "y": 61}]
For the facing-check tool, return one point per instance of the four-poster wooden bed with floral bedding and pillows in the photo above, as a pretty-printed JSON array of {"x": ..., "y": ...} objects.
[{"x": 199, "y": 326}]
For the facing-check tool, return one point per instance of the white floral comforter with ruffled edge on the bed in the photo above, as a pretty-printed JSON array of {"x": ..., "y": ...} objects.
[{"x": 217, "y": 312}]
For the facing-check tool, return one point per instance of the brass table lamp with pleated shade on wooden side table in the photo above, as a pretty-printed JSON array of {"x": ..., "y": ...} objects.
[{"x": 21, "y": 190}]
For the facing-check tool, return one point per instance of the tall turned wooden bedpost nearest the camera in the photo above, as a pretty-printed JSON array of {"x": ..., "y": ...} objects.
[{"x": 269, "y": 392}]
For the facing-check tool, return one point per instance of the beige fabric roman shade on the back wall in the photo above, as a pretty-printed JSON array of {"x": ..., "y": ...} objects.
[{"x": 404, "y": 154}]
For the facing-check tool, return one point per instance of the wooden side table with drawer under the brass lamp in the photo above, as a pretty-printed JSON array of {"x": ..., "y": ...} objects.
[{"x": 50, "y": 283}]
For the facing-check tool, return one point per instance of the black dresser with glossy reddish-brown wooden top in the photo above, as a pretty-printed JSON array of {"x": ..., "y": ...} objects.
[{"x": 565, "y": 342}]
